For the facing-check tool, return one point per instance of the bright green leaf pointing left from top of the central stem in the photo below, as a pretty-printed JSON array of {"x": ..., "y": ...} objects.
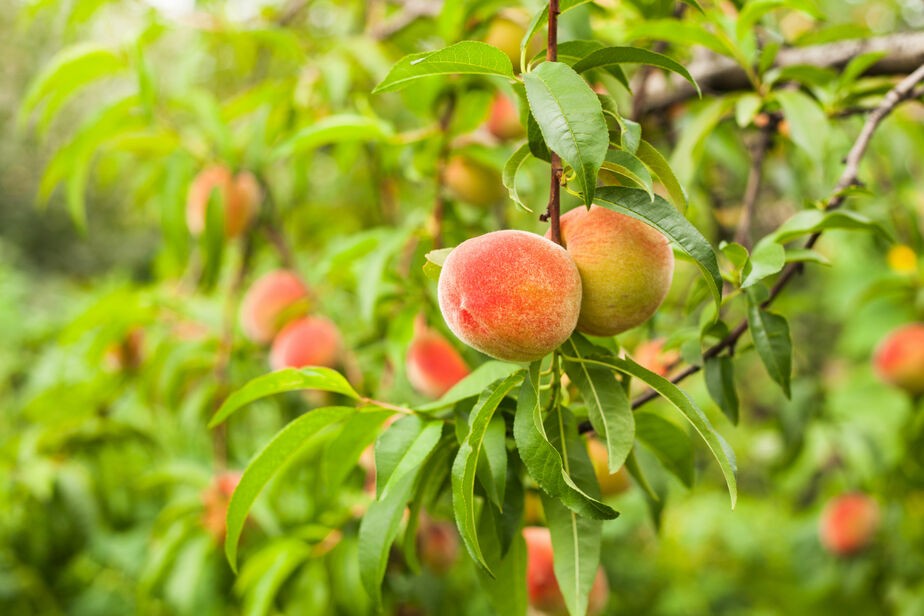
[{"x": 467, "y": 57}]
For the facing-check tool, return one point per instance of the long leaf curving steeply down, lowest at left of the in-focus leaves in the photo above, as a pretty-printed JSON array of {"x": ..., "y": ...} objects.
[{"x": 277, "y": 453}]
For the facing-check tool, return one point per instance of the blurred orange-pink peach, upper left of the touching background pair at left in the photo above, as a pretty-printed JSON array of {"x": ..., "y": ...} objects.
[{"x": 268, "y": 301}]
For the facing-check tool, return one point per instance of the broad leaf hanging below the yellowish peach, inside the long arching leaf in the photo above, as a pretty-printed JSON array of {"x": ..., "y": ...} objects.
[{"x": 607, "y": 403}]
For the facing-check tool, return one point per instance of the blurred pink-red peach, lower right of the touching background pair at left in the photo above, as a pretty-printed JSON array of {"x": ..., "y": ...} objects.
[{"x": 310, "y": 341}]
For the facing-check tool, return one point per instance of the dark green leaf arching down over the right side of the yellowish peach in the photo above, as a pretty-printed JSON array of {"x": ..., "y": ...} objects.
[{"x": 665, "y": 218}]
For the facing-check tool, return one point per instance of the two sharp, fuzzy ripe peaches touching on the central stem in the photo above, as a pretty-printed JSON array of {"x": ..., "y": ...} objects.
[{"x": 517, "y": 296}]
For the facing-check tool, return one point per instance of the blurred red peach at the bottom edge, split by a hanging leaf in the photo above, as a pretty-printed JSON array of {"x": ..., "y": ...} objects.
[{"x": 541, "y": 584}]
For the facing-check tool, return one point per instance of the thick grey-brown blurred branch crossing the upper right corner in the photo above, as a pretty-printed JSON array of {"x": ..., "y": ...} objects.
[{"x": 714, "y": 73}]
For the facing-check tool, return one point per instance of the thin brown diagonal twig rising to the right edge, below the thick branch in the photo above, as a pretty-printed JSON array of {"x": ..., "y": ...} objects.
[{"x": 905, "y": 90}]
